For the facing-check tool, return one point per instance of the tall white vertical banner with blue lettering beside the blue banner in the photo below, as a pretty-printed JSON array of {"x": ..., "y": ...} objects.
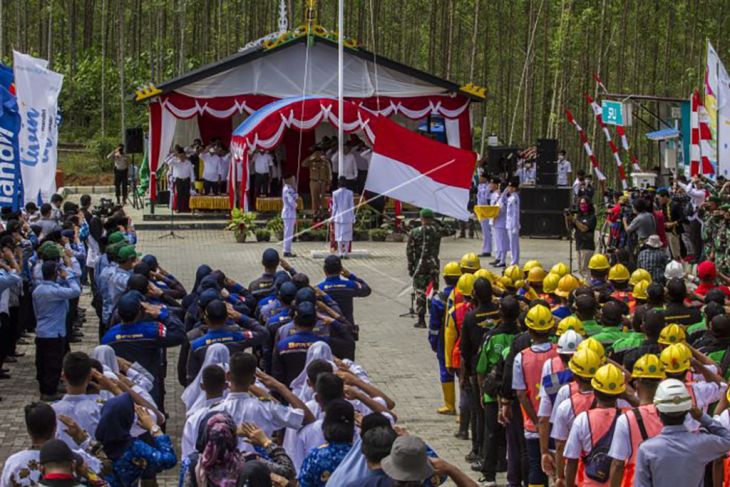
[{"x": 37, "y": 89}]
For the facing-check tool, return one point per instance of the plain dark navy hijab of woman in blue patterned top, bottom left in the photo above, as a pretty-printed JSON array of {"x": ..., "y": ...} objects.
[{"x": 113, "y": 430}]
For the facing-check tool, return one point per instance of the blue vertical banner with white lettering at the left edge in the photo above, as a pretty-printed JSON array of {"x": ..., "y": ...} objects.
[{"x": 11, "y": 187}]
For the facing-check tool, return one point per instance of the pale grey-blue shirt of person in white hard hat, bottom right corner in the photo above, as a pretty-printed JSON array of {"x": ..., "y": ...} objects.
[{"x": 678, "y": 457}]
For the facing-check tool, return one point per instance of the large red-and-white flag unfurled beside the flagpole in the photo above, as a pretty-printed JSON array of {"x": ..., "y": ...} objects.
[{"x": 414, "y": 169}]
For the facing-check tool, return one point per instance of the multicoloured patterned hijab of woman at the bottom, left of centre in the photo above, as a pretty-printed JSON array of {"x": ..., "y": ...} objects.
[{"x": 220, "y": 461}]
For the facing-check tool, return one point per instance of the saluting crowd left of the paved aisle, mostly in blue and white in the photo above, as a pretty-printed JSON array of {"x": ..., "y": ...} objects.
[{"x": 272, "y": 392}]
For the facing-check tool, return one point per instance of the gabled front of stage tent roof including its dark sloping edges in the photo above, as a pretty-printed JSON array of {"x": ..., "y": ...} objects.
[{"x": 364, "y": 71}]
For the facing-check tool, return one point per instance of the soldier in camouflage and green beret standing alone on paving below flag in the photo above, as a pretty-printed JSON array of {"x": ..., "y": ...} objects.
[{"x": 422, "y": 251}]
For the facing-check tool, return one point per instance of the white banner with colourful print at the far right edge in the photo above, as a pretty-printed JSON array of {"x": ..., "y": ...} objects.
[{"x": 717, "y": 104}]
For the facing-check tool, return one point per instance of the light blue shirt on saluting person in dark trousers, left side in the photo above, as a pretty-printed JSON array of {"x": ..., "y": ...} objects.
[{"x": 50, "y": 303}]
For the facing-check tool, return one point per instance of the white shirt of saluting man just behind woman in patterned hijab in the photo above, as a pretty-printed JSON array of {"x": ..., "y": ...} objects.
[{"x": 267, "y": 415}]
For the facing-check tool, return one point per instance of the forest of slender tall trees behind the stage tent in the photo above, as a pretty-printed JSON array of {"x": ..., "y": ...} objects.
[{"x": 535, "y": 57}]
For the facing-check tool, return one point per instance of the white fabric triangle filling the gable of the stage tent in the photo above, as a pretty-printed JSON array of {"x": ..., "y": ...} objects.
[{"x": 282, "y": 74}]
